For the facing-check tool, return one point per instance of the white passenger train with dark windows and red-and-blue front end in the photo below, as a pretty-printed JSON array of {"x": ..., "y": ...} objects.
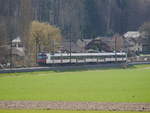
[{"x": 79, "y": 58}]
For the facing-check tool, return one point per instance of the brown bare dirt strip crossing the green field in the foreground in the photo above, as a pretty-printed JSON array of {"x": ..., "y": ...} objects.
[{"x": 74, "y": 106}]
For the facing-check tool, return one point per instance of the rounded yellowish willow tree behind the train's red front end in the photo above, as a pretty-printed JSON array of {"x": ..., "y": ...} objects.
[{"x": 44, "y": 38}]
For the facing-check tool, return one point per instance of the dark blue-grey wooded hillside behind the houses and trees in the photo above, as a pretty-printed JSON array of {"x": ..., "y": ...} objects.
[{"x": 80, "y": 18}]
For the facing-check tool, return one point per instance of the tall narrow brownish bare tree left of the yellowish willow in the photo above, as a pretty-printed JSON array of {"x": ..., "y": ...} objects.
[{"x": 25, "y": 21}]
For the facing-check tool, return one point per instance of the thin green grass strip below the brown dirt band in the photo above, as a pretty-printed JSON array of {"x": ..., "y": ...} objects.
[{"x": 58, "y": 111}]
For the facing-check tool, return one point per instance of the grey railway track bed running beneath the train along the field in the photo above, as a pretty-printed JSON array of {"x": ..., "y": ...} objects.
[{"x": 68, "y": 67}]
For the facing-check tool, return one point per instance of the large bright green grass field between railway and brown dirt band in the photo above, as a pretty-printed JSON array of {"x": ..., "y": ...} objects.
[{"x": 112, "y": 85}]
